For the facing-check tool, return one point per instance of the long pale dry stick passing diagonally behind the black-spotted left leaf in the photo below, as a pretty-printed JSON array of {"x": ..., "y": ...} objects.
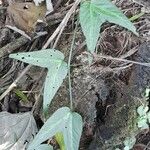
[{"x": 62, "y": 25}]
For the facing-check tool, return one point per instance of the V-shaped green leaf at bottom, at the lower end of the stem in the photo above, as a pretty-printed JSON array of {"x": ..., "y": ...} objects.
[{"x": 65, "y": 121}]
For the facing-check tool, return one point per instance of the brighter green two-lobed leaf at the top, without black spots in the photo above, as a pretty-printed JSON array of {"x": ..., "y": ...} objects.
[{"x": 94, "y": 13}]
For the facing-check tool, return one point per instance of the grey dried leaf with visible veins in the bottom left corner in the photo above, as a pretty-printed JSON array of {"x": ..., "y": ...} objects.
[{"x": 16, "y": 130}]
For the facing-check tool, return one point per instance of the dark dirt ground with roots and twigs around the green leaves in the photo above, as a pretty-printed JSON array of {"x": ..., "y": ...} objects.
[{"x": 106, "y": 94}]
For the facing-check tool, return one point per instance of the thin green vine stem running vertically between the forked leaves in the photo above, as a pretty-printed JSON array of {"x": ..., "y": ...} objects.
[{"x": 69, "y": 62}]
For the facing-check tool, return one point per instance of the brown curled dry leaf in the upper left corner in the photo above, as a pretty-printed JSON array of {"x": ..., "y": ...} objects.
[{"x": 24, "y": 16}]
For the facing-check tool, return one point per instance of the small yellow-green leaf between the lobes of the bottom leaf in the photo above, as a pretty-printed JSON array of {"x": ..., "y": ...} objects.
[{"x": 60, "y": 140}]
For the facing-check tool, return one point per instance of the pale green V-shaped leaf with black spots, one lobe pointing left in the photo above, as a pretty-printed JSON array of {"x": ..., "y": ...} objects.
[{"x": 57, "y": 69}]
